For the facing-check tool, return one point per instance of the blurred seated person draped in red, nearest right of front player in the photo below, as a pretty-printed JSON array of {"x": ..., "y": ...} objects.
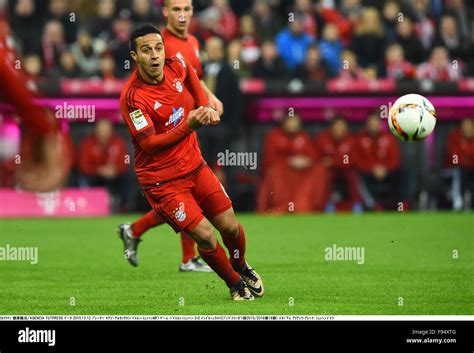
[{"x": 292, "y": 181}]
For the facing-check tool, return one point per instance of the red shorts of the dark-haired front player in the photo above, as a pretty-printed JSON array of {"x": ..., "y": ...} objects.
[{"x": 184, "y": 202}]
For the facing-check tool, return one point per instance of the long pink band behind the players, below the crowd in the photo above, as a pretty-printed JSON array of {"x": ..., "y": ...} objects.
[{"x": 269, "y": 109}]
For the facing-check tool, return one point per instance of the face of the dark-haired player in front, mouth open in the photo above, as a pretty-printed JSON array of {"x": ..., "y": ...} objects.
[{"x": 150, "y": 57}]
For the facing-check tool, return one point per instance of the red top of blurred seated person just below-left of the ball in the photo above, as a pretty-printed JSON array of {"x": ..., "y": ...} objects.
[{"x": 379, "y": 150}]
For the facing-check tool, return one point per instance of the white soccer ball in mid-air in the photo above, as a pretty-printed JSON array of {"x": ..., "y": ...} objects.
[{"x": 412, "y": 118}]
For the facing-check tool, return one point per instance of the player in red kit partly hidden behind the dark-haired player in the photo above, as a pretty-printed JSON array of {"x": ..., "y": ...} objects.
[{"x": 179, "y": 43}]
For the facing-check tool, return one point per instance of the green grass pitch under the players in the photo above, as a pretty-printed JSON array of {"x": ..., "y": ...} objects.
[{"x": 421, "y": 260}]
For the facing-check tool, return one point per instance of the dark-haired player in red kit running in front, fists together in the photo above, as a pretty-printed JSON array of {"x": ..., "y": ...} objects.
[{"x": 169, "y": 166}]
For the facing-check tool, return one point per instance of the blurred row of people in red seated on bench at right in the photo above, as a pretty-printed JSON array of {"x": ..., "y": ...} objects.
[{"x": 360, "y": 170}]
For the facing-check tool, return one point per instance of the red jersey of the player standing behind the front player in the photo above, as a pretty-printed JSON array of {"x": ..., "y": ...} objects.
[{"x": 183, "y": 48}]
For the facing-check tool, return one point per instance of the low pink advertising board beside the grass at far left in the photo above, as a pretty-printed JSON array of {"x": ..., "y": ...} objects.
[{"x": 64, "y": 203}]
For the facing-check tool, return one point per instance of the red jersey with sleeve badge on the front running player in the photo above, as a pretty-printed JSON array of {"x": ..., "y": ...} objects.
[{"x": 150, "y": 109}]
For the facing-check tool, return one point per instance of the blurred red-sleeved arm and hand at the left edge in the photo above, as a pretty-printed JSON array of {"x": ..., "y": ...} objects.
[{"x": 45, "y": 154}]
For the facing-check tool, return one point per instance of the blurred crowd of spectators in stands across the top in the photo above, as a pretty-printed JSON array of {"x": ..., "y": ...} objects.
[{"x": 308, "y": 39}]
